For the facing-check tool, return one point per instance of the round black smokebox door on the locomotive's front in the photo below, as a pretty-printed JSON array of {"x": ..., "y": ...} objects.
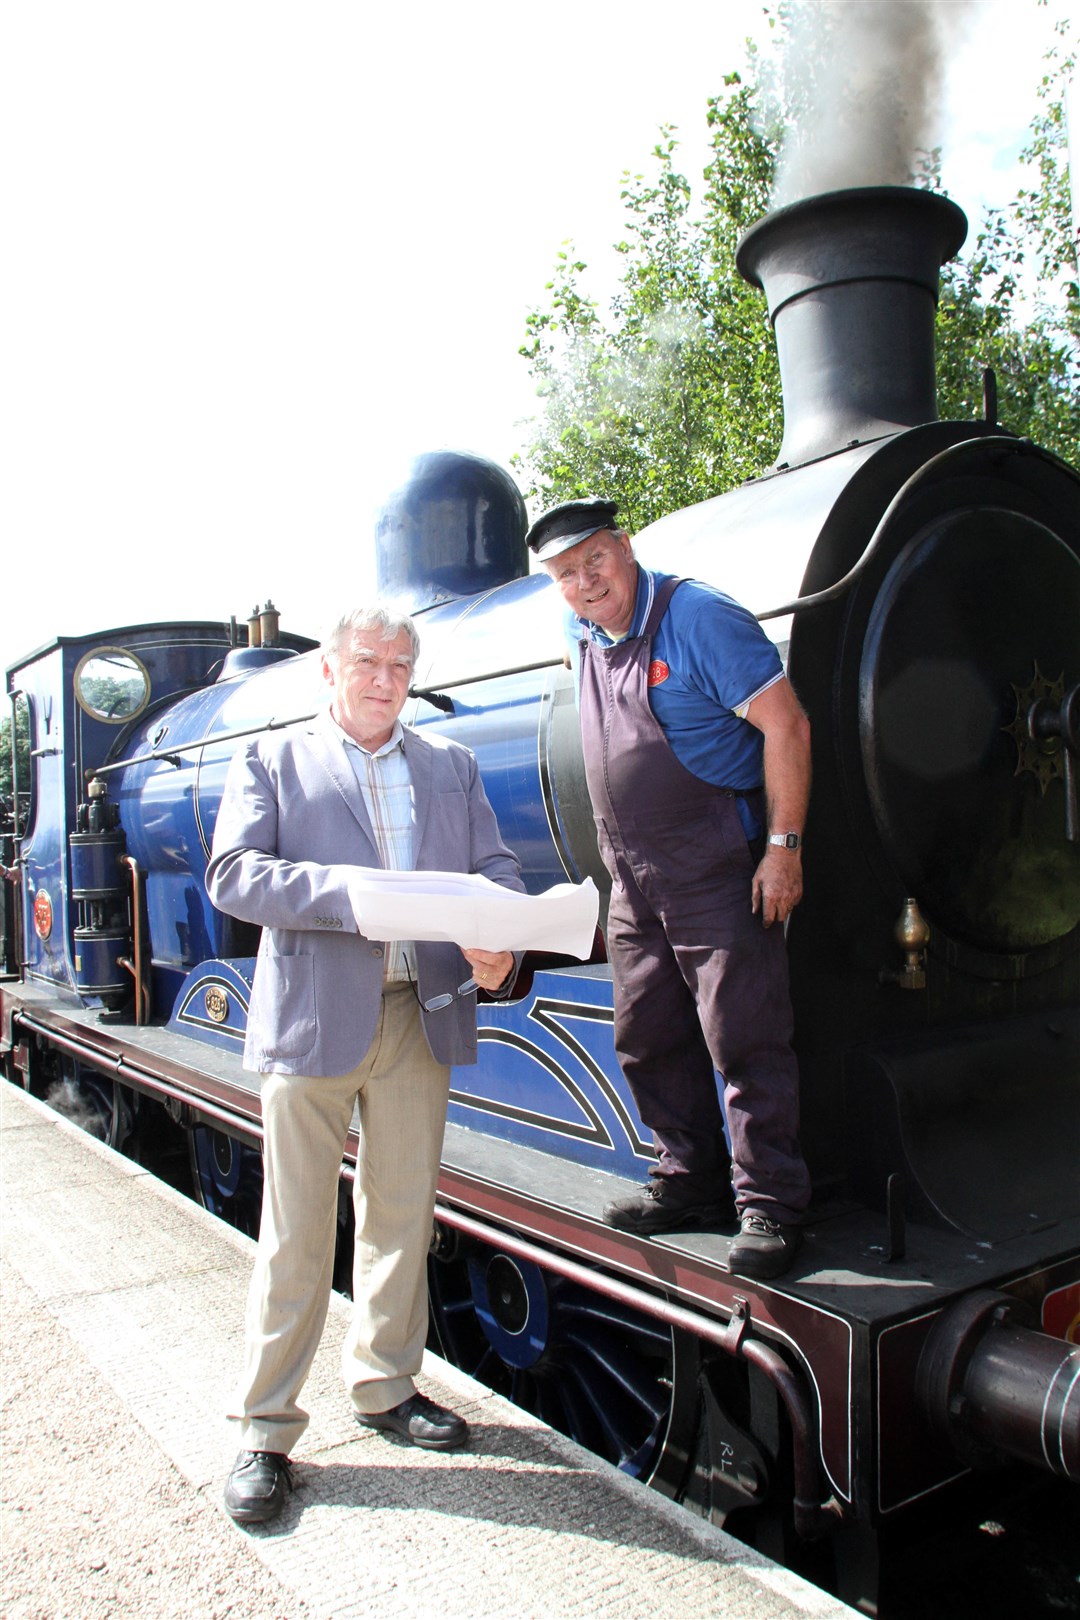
[{"x": 966, "y": 612}]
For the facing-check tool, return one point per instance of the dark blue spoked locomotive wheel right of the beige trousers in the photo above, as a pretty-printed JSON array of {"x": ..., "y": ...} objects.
[{"x": 614, "y": 1379}]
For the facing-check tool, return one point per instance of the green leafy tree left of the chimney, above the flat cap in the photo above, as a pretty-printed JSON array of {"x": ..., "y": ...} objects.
[{"x": 637, "y": 404}]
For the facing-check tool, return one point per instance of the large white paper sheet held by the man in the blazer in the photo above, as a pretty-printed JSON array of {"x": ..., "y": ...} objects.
[{"x": 474, "y": 913}]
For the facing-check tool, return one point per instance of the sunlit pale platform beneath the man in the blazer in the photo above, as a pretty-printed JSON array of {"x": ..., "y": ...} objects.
[{"x": 122, "y": 1332}]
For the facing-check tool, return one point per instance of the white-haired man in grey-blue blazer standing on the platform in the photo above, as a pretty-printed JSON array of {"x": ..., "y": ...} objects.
[{"x": 341, "y": 1021}]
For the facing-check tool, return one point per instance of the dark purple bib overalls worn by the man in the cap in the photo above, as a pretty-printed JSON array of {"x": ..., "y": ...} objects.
[{"x": 699, "y": 981}]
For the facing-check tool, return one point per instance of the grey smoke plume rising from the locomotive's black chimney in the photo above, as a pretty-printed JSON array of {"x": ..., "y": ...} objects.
[{"x": 864, "y": 87}]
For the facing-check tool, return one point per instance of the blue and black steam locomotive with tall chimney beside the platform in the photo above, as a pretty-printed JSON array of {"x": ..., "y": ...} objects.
[{"x": 922, "y": 579}]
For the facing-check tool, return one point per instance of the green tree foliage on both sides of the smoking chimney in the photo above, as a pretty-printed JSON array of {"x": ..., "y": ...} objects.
[{"x": 673, "y": 394}]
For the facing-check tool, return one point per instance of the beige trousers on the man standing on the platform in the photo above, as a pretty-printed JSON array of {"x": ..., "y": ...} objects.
[{"x": 402, "y": 1096}]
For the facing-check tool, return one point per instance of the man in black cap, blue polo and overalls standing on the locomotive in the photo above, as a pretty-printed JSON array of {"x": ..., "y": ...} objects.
[{"x": 699, "y": 764}]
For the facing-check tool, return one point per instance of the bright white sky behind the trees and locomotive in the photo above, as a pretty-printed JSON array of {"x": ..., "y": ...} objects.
[{"x": 258, "y": 255}]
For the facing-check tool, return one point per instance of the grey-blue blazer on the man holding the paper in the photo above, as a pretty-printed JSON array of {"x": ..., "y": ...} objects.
[{"x": 292, "y": 822}]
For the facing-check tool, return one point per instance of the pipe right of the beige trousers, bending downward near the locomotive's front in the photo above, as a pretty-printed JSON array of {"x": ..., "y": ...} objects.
[{"x": 814, "y": 1516}]
